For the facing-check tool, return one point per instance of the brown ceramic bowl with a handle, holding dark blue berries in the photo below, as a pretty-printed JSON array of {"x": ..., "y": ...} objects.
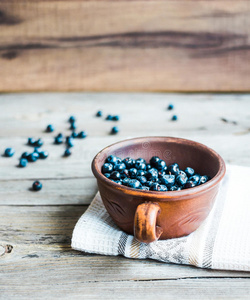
[{"x": 153, "y": 215}]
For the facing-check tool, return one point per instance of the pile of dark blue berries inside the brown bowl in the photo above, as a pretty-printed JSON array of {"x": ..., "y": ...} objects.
[{"x": 152, "y": 176}]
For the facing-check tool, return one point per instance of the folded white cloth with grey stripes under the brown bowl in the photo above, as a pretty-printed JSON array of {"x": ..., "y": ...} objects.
[{"x": 221, "y": 242}]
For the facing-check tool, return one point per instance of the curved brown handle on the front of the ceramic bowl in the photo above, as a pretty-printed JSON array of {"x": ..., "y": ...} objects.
[{"x": 145, "y": 229}]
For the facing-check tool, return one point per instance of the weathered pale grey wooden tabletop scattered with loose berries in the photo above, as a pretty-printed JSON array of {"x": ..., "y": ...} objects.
[{"x": 36, "y": 260}]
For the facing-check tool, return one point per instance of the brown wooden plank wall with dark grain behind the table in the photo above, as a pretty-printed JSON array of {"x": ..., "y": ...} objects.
[{"x": 180, "y": 45}]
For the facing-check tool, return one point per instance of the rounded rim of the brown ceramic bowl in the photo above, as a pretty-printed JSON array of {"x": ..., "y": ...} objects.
[{"x": 167, "y": 195}]
